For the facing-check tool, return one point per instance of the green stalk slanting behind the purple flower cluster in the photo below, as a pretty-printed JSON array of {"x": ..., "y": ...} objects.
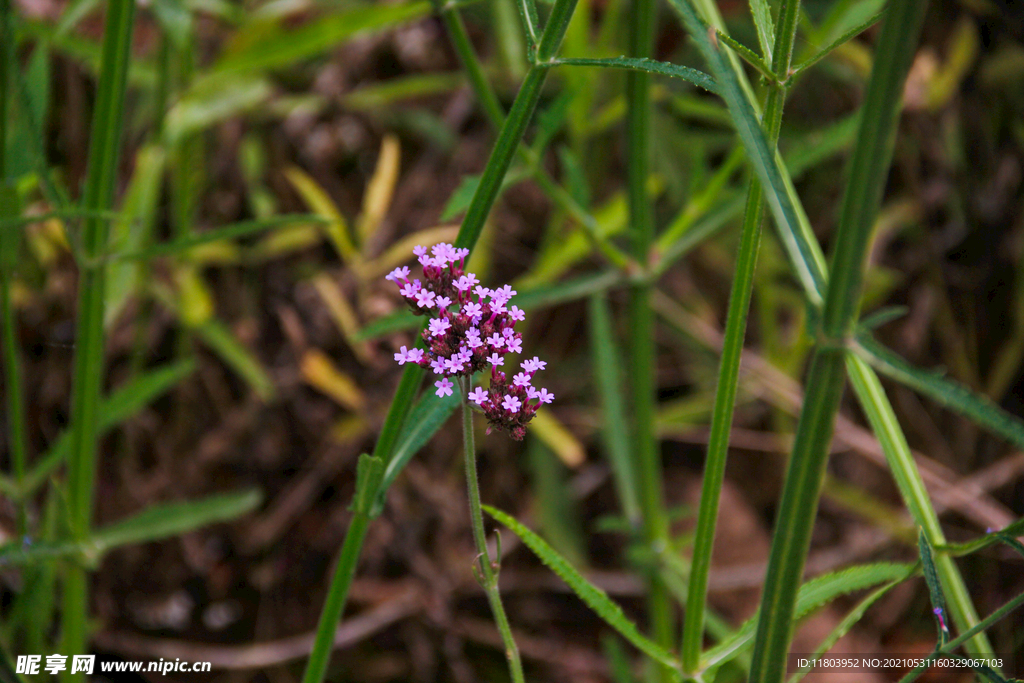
[{"x": 473, "y": 225}]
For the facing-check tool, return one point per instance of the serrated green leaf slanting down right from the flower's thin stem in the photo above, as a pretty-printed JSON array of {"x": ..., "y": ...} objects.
[{"x": 594, "y": 597}]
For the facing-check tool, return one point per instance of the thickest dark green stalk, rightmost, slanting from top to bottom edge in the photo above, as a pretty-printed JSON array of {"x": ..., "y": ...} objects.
[{"x": 866, "y": 184}]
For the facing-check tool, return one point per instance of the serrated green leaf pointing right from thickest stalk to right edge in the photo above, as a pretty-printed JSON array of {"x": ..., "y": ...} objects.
[{"x": 945, "y": 392}]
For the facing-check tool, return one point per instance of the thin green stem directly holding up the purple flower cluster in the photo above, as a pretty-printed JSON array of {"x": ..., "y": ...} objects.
[{"x": 489, "y": 568}]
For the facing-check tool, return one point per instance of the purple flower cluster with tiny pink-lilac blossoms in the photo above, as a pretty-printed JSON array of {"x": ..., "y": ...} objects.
[{"x": 480, "y": 333}]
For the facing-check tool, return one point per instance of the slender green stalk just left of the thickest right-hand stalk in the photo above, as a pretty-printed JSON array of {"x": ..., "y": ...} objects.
[{"x": 733, "y": 350}]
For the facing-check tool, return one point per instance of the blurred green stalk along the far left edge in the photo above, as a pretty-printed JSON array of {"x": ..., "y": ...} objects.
[{"x": 10, "y": 243}]
